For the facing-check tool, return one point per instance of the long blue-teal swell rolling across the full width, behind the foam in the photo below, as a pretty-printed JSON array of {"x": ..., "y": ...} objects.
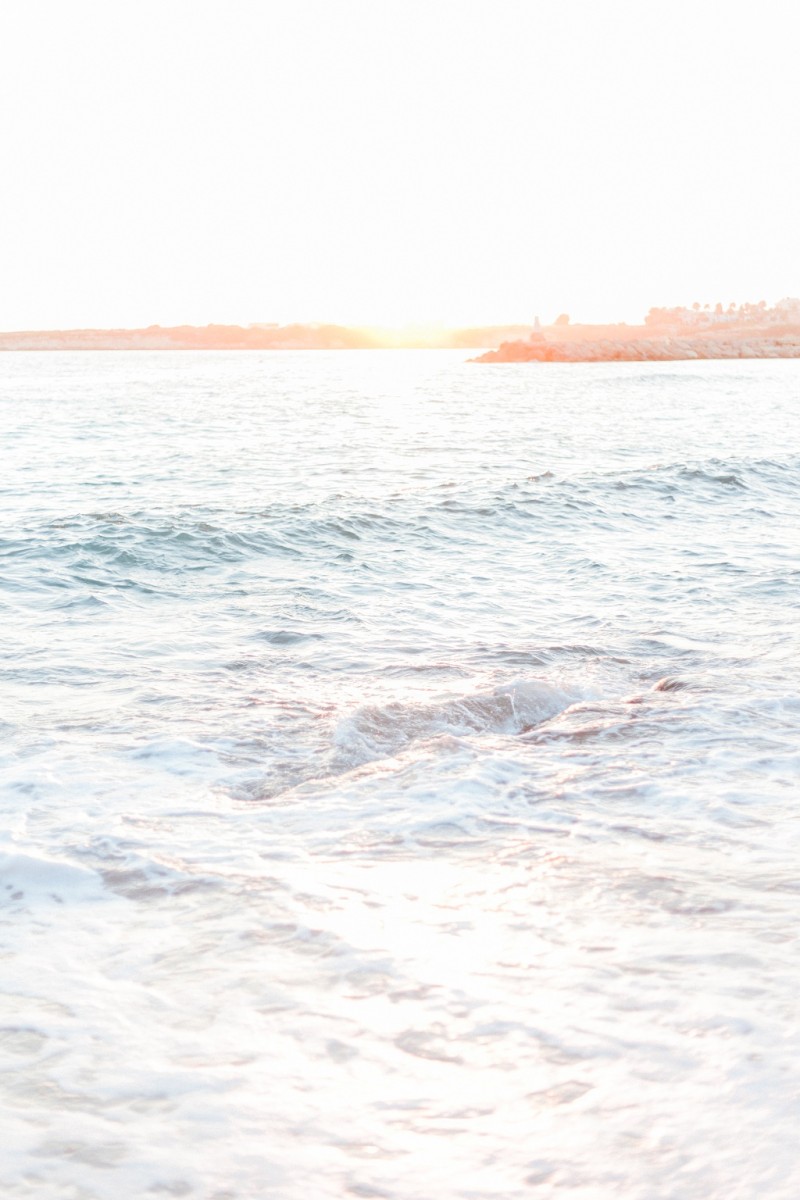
[{"x": 140, "y": 550}]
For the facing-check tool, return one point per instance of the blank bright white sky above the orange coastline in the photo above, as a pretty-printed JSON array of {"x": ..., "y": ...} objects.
[{"x": 390, "y": 161}]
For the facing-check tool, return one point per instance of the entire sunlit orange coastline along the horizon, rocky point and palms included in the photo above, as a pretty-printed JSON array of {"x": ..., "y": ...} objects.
[{"x": 745, "y": 332}]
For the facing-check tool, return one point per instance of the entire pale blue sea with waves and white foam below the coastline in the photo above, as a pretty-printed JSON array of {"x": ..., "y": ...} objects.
[{"x": 399, "y": 778}]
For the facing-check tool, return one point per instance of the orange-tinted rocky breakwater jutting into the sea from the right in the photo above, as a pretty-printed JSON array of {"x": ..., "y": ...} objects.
[{"x": 755, "y": 345}]
